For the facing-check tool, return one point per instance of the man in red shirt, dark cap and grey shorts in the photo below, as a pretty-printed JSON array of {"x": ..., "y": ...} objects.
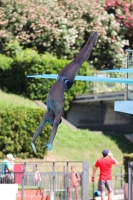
[{"x": 105, "y": 179}]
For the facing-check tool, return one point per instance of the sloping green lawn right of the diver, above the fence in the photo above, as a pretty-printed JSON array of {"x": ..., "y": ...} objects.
[{"x": 87, "y": 145}]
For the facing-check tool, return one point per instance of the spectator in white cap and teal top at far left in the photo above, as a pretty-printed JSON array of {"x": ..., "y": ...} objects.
[{"x": 7, "y": 169}]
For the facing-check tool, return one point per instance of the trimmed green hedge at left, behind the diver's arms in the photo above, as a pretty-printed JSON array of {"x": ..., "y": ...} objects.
[{"x": 17, "y": 126}]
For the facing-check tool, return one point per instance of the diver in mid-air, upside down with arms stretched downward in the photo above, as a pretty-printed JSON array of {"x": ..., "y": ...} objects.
[{"x": 55, "y": 98}]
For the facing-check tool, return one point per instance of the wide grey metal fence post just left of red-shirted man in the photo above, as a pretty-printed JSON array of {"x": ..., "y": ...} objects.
[{"x": 85, "y": 194}]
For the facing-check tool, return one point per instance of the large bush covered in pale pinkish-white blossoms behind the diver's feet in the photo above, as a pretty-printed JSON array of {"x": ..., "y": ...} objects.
[{"x": 61, "y": 29}]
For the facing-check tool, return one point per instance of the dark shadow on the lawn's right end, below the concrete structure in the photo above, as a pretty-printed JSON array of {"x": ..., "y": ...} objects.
[{"x": 123, "y": 143}]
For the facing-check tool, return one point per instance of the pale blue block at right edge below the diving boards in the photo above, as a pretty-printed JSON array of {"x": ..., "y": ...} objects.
[{"x": 124, "y": 106}]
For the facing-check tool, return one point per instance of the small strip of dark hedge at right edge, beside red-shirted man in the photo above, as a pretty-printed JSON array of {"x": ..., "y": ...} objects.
[{"x": 127, "y": 158}]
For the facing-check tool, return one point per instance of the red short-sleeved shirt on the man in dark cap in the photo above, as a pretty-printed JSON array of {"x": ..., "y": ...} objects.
[{"x": 105, "y": 165}]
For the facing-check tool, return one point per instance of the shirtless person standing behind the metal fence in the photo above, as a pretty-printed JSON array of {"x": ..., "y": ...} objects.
[{"x": 75, "y": 183}]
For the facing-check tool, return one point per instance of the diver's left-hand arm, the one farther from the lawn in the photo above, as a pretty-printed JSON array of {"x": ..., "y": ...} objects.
[{"x": 38, "y": 131}]
